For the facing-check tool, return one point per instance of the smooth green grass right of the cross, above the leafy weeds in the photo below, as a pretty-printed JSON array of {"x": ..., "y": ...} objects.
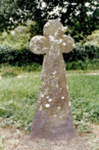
[{"x": 84, "y": 86}]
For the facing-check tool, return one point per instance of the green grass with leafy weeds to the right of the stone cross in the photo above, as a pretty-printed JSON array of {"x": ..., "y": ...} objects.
[{"x": 84, "y": 97}]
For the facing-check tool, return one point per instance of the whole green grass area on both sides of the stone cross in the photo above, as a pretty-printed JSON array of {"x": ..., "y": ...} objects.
[{"x": 18, "y": 98}]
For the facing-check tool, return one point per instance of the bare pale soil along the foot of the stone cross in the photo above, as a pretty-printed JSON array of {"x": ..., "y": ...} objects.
[{"x": 14, "y": 139}]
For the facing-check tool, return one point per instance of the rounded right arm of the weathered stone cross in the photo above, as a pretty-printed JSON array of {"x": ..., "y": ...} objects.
[{"x": 68, "y": 44}]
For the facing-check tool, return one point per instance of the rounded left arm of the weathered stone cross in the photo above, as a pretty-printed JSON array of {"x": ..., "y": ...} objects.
[{"x": 38, "y": 45}]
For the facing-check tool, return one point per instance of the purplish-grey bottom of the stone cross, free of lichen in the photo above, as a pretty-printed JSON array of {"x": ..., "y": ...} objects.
[{"x": 43, "y": 129}]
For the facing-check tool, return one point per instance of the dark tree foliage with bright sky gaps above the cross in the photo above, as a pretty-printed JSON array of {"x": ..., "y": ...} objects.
[{"x": 81, "y": 17}]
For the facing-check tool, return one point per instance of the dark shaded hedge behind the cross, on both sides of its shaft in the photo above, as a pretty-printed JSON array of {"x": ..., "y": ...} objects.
[{"x": 82, "y": 57}]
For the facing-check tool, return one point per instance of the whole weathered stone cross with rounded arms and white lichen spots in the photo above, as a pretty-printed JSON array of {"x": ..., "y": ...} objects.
[{"x": 53, "y": 119}]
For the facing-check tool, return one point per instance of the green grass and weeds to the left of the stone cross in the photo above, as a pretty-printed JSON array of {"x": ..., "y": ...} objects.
[{"x": 18, "y": 97}]
